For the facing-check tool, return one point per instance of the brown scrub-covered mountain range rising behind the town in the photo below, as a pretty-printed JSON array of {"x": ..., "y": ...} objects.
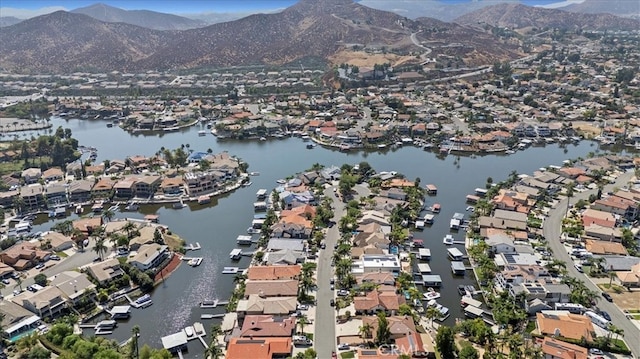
[{"x": 310, "y": 29}]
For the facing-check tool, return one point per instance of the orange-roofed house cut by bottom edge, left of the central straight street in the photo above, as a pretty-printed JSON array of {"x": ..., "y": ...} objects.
[{"x": 263, "y": 348}]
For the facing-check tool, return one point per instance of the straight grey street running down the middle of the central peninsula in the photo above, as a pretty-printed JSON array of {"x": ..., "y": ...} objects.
[{"x": 325, "y": 322}]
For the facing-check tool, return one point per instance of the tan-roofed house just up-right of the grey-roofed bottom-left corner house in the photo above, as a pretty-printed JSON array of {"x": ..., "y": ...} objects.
[{"x": 47, "y": 302}]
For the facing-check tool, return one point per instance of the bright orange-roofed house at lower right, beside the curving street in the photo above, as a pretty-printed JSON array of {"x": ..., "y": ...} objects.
[{"x": 564, "y": 324}]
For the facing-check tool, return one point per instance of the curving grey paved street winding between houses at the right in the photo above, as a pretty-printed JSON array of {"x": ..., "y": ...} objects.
[{"x": 552, "y": 229}]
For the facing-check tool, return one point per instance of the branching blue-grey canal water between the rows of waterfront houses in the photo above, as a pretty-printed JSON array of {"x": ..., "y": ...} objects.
[{"x": 216, "y": 226}]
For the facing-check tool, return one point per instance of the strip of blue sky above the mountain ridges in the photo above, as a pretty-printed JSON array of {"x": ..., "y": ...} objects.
[{"x": 27, "y": 8}]
